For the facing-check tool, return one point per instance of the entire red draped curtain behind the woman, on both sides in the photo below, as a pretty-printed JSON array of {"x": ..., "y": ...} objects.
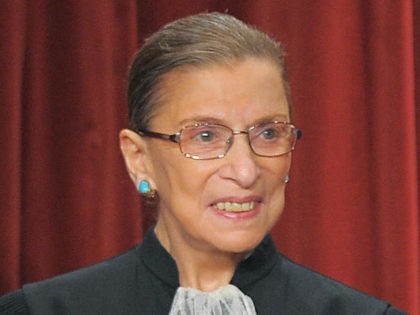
[{"x": 353, "y": 202}]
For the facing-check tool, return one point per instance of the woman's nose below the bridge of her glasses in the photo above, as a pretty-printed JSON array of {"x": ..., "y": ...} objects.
[{"x": 240, "y": 163}]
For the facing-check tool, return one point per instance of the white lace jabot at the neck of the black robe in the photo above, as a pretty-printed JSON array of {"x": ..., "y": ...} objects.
[{"x": 227, "y": 300}]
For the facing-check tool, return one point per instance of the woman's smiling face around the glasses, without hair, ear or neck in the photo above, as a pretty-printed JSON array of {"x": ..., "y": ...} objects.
[{"x": 191, "y": 191}]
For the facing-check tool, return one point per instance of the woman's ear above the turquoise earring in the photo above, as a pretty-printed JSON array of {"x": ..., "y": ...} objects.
[{"x": 134, "y": 151}]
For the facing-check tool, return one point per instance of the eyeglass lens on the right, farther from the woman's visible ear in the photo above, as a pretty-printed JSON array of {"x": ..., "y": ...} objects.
[{"x": 272, "y": 139}]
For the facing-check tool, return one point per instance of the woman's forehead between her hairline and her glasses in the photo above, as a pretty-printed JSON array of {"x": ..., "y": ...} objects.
[{"x": 252, "y": 88}]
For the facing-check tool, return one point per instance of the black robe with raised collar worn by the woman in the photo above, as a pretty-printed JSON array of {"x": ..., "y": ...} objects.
[{"x": 144, "y": 281}]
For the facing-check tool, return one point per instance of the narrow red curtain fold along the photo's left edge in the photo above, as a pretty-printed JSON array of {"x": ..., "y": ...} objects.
[{"x": 12, "y": 56}]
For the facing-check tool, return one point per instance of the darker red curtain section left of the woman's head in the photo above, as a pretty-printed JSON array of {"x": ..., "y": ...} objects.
[{"x": 62, "y": 105}]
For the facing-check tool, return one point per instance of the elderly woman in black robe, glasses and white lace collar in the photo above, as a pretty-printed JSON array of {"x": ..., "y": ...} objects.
[{"x": 209, "y": 145}]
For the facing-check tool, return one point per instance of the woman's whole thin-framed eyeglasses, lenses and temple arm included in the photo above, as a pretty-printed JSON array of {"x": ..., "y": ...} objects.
[{"x": 206, "y": 141}]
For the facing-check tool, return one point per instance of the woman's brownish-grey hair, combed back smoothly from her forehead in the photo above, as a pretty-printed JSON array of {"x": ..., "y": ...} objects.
[{"x": 202, "y": 39}]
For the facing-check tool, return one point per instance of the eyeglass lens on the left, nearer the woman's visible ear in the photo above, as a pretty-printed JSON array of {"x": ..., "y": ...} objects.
[{"x": 204, "y": 141}]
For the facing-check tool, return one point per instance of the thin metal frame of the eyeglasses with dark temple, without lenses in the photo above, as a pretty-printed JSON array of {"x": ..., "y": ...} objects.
[{"x": 176, "y": 138}]
